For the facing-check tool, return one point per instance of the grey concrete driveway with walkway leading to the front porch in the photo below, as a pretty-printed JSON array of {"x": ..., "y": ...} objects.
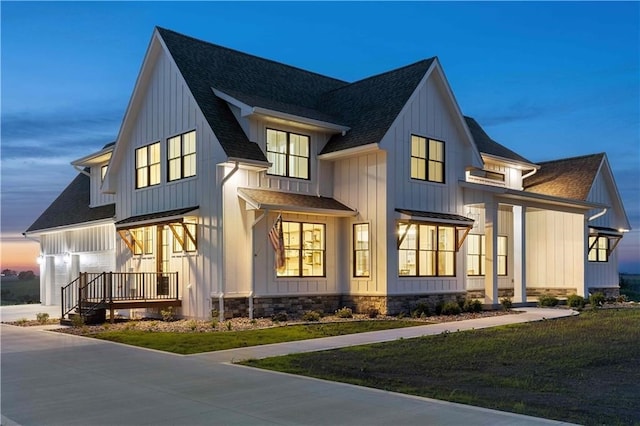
[{"x": 58, "y": 379}]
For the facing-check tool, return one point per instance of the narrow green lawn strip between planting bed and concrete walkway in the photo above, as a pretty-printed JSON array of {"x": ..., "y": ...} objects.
[{"x": 191, "y": 343}]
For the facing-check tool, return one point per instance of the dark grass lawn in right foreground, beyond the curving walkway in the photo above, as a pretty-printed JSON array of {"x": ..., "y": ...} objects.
[{"x": 583, "y": 369}]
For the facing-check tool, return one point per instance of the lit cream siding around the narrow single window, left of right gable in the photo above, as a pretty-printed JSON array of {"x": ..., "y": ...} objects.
[{"x": 360, "y": 183}]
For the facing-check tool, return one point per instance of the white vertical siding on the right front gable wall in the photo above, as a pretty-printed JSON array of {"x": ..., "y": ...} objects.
[{"x": 428, "y": 114}]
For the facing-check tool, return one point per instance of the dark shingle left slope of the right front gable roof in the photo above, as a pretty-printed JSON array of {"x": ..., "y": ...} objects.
[{"x": 369, "y": 106}]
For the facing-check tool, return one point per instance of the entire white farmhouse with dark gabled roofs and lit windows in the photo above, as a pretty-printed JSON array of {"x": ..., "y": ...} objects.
[{"x": 387, "y": 196}]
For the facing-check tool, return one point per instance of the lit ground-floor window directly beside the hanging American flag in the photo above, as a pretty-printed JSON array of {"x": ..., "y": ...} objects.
[{"x": 304, "y": 249}]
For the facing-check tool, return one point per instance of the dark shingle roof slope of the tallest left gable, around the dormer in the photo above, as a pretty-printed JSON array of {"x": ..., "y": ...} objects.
[{"x": 205, "y": 66}]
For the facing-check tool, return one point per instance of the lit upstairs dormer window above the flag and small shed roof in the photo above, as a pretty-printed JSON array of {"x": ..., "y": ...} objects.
[{"x": 288, "y": 153}]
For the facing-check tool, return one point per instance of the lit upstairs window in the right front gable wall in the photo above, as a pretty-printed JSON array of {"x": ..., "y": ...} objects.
[{"x": 427, "y": 159}]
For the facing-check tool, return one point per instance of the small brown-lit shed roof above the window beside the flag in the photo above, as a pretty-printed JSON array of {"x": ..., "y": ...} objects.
[{"x": 263, "y": 199}]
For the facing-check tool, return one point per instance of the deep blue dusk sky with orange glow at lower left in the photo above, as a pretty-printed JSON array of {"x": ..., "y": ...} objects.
[{"x": 548, "y": 80}]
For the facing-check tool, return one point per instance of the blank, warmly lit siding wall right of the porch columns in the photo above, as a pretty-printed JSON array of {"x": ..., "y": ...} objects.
[{"x": 555, "y": 249}]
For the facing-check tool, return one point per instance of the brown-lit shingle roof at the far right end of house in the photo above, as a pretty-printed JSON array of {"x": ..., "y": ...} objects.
[{"x": 567, "y": 178}]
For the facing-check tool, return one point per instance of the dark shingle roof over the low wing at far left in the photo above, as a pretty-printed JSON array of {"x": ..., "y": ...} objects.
[{"x": 72, "y": 207}]
